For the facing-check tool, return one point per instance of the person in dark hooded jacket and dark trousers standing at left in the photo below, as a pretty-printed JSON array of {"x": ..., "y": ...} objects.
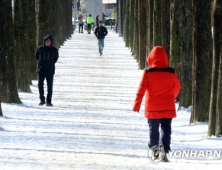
[{"x": 47, "y": 56}]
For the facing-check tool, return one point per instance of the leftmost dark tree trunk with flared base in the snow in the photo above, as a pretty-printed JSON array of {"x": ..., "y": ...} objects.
[{"x": 8, "y": 86}]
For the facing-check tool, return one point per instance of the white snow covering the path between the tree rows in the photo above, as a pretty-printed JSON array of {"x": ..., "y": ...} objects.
[{"x": 92, "y": 125}]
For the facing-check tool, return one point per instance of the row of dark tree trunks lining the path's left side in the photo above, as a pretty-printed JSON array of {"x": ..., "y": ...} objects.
[{"x": 21, "y": 32}]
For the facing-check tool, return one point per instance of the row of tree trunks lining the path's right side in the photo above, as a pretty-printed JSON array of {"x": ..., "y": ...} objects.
[{"x": 191, "y": 33}]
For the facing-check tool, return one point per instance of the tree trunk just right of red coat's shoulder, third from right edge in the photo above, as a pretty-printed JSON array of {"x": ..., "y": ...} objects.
[{"x": 185, "y": 65}]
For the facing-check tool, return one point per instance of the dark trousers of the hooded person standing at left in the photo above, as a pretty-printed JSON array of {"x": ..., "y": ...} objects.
[{"x": 49, "y": 79}]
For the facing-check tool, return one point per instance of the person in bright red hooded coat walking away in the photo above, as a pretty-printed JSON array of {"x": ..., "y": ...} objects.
[{"x": 160, "y": 85}]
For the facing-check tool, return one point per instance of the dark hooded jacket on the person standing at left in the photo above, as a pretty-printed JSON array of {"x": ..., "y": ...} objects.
[{"x": 47, "y": 56}]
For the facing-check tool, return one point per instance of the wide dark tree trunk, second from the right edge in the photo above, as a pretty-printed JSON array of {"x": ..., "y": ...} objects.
[{"x": 202, "y": 60}]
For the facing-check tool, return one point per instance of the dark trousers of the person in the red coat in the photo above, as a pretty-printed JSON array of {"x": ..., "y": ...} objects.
[{"x": 165, "y": 124}]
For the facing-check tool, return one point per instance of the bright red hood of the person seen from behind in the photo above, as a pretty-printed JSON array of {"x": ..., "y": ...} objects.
[{"x": 158, "y": 57}]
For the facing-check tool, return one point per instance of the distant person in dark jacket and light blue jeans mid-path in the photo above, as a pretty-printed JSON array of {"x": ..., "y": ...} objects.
[{"x": 100, "y": 33}]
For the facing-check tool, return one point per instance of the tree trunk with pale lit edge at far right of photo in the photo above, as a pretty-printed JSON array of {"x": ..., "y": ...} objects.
[{"x": 215, "y": 117}]
